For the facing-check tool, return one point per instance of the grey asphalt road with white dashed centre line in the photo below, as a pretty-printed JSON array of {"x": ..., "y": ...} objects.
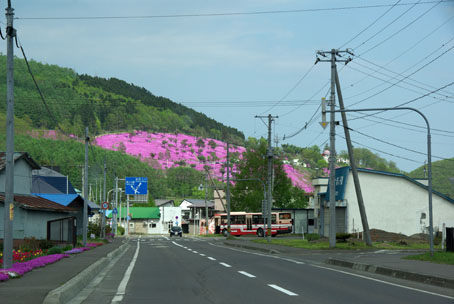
[{"x": 192, "y": 270}]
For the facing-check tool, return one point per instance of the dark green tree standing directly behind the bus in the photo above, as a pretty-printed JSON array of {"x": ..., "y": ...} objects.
[{"x": 248, "y": 192}]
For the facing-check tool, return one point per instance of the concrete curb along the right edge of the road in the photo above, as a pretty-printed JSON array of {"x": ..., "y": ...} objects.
[{"x": 401, "y": 274}]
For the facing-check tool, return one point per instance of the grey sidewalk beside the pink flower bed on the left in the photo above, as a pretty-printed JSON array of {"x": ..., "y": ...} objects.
[{"x": 34, "y": 286}]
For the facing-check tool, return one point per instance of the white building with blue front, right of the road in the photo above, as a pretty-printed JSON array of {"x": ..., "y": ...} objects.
[{"x": 394, "y": 202}]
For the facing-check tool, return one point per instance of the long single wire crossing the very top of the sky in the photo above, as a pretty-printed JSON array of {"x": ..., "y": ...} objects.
[{"x": 231, "y": 13}]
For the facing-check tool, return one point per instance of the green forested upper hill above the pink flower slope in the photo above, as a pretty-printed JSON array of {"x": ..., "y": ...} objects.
[{"x": 104, "y": 105}]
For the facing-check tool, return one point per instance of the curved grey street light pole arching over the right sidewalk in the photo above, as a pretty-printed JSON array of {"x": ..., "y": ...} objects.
[{"x": 429, "y": 159}]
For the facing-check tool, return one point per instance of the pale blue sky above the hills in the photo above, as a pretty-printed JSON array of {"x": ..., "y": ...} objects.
[{"x": 235, "y": 60}]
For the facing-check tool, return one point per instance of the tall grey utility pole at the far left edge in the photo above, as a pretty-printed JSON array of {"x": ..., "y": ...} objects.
[{"x": 8, "y": 210}]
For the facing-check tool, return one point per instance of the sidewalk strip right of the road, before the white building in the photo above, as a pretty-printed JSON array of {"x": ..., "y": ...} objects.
[{"x": 384, "y": 262}]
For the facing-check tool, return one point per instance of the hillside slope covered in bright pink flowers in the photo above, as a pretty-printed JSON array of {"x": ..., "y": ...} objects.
[{"x": 166, "y": 150}]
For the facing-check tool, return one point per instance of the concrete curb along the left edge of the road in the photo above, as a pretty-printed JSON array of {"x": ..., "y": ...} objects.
[{"x": 70, "y": 289}]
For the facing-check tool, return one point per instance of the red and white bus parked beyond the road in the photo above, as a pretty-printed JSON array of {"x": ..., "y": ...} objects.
[{"x": 245, "y": 223}]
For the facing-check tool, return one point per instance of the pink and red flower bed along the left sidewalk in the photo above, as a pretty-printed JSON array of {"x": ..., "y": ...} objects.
[{"x": 20, "y": 266}]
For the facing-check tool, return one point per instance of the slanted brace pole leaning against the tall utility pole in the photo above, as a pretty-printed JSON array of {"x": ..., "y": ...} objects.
[{"x": 359, "y": 194}]
